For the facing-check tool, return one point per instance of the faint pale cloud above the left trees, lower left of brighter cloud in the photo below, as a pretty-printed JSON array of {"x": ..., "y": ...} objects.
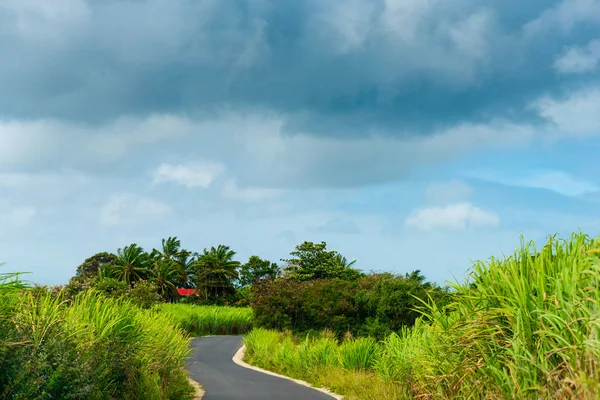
[{"x": 131, "y": 209}]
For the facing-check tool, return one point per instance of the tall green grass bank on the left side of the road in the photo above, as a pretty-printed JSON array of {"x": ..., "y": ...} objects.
[{"x": 90, "y": 348}]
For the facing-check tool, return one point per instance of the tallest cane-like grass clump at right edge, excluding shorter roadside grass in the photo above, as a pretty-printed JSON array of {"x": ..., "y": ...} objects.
[{"x": 528, "y": 327}]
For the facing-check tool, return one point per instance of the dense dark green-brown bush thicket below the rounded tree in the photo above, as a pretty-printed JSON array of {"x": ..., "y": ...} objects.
[{"x": 373, "y": 305}]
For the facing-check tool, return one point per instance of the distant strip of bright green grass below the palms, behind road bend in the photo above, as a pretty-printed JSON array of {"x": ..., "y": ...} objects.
[{"x": 209, "y": 320}]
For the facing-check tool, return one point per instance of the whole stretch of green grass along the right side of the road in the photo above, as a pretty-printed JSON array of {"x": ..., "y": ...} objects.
[{"x": 524, "y": 327}]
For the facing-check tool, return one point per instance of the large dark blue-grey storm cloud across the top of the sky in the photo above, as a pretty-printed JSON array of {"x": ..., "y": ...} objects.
[{"x": 338, "y": 68}]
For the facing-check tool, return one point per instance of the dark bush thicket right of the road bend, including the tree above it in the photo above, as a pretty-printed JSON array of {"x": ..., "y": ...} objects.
[{"x": 321, "y": 290}]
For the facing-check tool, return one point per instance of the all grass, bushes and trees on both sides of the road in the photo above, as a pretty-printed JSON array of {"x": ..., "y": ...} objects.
[{"x": 525, "y": 326}]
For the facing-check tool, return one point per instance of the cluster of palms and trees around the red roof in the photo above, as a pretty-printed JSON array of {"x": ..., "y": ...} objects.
[{"x": 154, "y": 276}]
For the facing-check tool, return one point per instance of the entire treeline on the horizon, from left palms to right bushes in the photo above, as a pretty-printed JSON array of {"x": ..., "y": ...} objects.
[{"x": 315, "y": 288}]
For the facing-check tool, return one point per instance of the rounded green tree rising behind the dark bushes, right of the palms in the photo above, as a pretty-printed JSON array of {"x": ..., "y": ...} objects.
[{"x": 313, "y": 261}]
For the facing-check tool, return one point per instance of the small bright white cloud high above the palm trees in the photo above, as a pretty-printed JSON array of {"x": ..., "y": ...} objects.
[{"x": 198, "y": 175}]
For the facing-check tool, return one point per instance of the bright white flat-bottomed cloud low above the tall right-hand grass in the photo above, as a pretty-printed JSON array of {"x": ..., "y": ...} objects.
[{"x": 458, "y": 216}]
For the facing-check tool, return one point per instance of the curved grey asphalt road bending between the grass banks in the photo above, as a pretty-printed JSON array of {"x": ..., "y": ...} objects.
[{"x": 212, "y": 366}]
